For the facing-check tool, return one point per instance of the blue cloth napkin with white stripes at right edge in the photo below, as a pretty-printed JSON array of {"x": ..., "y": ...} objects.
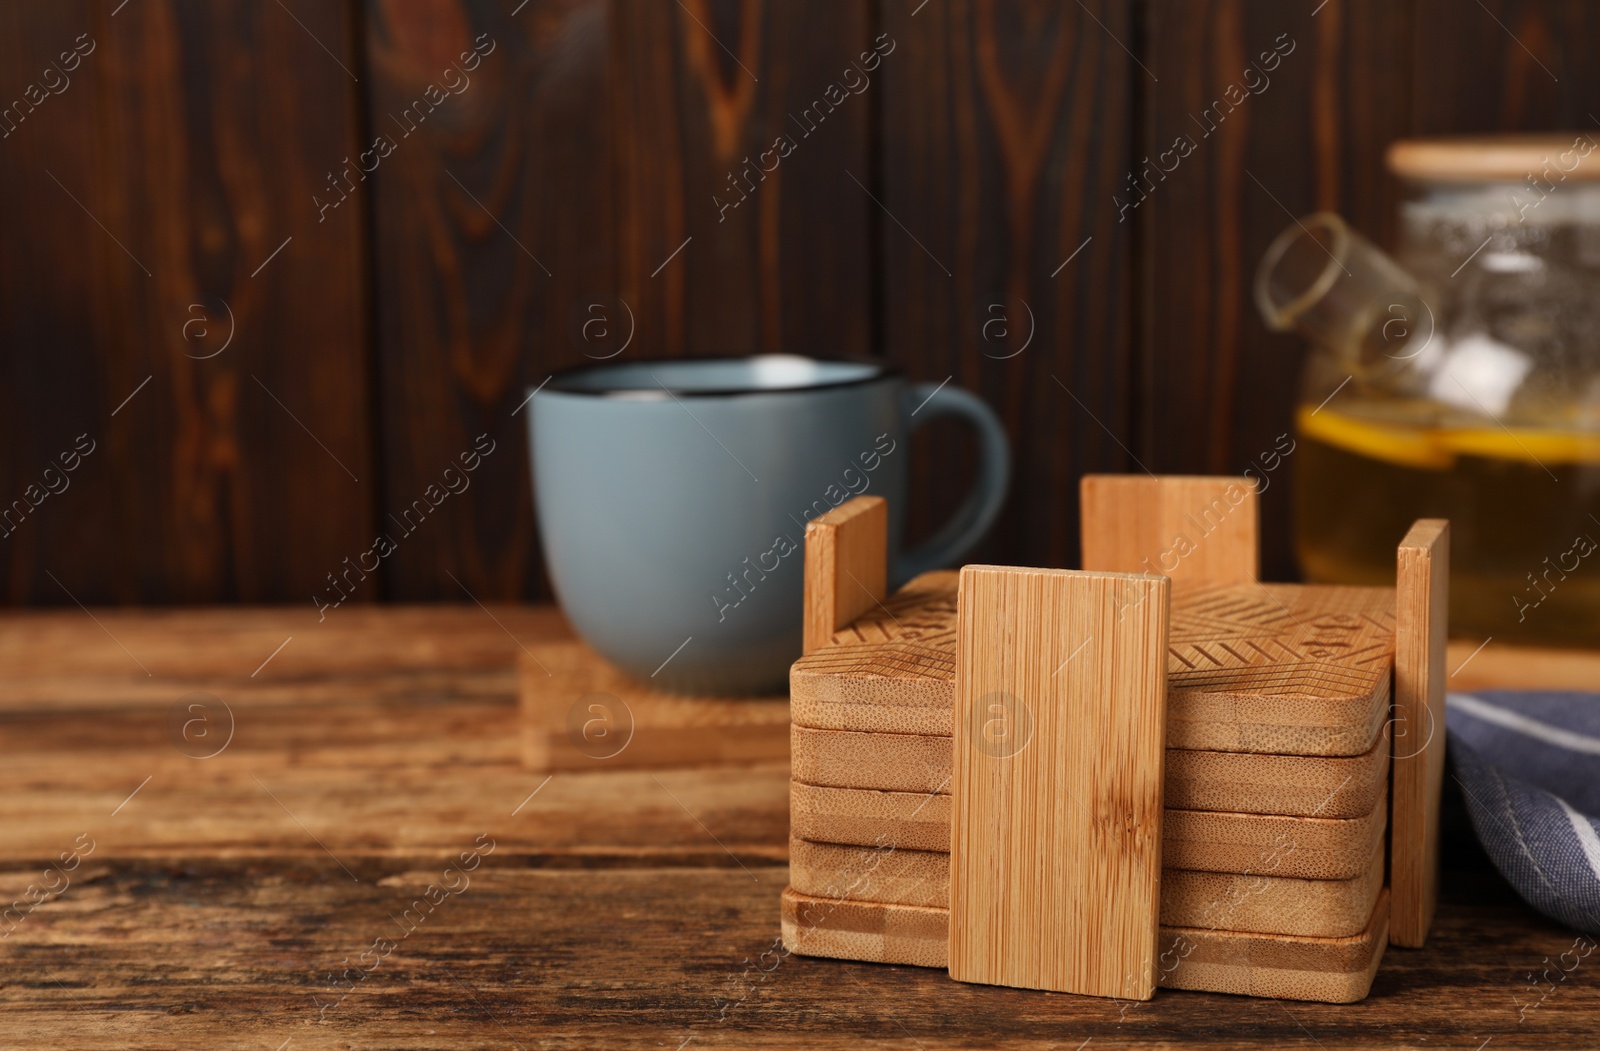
[{"x": 1530, "y": 770}]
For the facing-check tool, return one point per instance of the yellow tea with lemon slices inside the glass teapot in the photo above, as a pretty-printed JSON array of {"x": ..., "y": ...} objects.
[{"x": 1524, "y": 508}]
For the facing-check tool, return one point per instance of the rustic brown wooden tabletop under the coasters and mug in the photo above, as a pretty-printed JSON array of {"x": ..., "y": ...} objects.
[{"x": 268, "y": 897}]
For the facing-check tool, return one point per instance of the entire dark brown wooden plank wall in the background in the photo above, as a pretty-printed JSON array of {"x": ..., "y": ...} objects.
[{"x": 550, "y": 177}]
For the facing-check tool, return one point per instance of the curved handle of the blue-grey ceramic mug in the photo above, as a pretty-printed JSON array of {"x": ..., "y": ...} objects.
[{"x": 983, "y": 503}]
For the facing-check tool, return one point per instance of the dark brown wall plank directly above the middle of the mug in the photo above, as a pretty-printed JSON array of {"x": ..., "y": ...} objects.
[{"x": 700, "y": 94}]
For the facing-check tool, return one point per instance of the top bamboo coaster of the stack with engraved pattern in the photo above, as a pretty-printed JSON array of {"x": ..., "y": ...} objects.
[{"x": 1281, "y": 669}]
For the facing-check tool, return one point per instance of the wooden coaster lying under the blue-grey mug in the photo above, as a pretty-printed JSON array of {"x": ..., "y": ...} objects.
[{"x": 578, "y": 713}]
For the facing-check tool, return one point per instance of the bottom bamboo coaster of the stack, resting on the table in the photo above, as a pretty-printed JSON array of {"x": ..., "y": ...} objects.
[{"x": 1327, "y": 970}]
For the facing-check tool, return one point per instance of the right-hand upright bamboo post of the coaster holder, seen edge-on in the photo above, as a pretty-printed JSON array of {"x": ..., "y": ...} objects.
[{"x": 1423, "y": 615}]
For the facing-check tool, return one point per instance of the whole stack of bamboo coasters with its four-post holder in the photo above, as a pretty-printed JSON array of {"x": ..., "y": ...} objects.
[{"x": 1273, "y": 781}]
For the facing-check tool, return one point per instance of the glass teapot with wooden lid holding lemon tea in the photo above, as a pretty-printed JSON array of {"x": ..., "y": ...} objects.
[{"x": 1460, "y": 380}]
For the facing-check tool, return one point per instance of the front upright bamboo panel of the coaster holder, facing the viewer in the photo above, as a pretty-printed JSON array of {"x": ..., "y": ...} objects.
[{"x": 1057, "y": 780}]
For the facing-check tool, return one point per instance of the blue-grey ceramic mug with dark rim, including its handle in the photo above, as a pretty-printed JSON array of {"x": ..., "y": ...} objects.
[{"x": 673, "y": 500}]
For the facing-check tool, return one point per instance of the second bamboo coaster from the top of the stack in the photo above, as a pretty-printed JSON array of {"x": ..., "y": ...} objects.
[{"x": 1303, "y": 786}]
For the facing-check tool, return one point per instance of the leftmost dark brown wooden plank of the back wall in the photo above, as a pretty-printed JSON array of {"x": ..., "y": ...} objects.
[{"x": 143, "y": 198}]
